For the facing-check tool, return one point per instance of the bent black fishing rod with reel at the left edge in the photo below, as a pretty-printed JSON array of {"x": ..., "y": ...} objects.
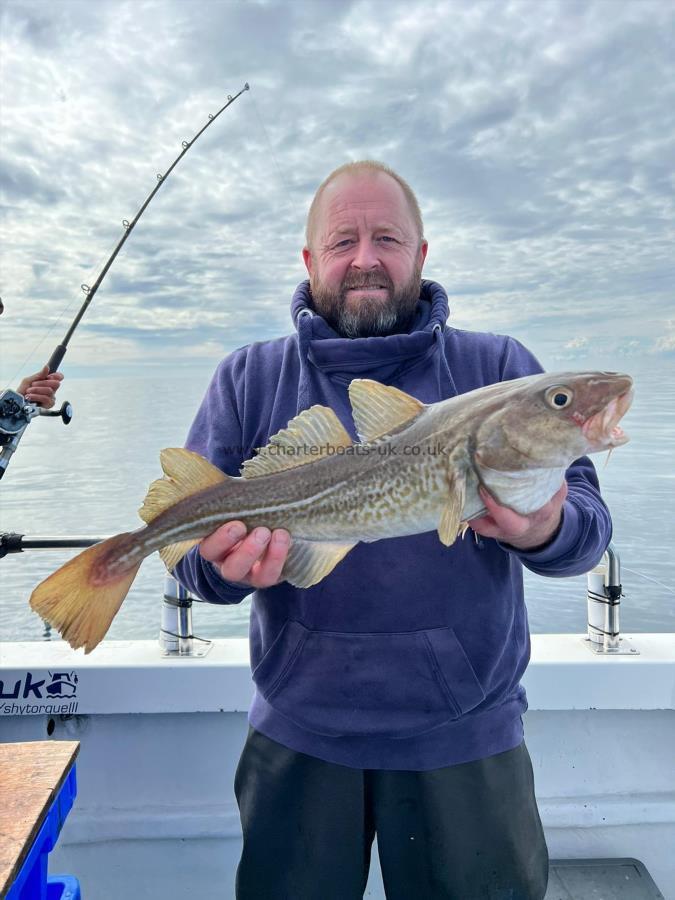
[{"x": 16, "y": 413}]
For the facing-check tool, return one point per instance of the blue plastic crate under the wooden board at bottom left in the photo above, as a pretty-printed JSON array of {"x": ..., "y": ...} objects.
[{"x": 31, "y": 883}]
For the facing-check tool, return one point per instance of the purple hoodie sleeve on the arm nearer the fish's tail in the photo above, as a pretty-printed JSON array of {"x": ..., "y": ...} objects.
[{"x": 216, "y": 434}]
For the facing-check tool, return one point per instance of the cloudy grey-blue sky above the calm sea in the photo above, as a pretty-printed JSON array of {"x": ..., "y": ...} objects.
[{"x": 539, "y": 138}]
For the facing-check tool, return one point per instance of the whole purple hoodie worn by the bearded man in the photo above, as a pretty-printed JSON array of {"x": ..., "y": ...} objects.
[{"x": 409, "y": 654}]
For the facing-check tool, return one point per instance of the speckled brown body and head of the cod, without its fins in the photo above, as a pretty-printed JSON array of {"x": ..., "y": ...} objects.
[{"x": 507, "y": 436}]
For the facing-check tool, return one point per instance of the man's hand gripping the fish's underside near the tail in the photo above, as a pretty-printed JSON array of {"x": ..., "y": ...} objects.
[{"x": 255, "y": 560}]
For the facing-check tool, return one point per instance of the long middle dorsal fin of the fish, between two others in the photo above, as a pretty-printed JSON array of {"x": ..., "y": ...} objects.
[{"x": 311, "y": 435}]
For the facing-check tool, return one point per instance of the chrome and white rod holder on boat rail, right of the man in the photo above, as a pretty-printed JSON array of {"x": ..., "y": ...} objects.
[{"x": 604, "y": 601}]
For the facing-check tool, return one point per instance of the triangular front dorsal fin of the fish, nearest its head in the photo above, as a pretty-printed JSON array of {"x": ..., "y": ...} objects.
[{"x": 379, "y": 409}]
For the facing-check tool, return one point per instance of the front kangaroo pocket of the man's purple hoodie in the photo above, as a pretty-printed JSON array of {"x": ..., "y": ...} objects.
[{"x": 391, "y": 685}]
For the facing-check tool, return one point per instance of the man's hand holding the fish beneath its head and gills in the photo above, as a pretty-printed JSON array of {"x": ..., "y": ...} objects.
[{"x": 522, "y": 532}]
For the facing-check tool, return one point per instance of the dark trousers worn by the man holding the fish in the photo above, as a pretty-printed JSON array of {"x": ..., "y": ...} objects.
[{"x": 463, "y": 832}]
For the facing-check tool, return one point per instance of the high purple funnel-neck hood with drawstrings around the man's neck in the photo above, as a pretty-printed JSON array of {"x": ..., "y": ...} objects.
[{"x": 387, "y": 359}]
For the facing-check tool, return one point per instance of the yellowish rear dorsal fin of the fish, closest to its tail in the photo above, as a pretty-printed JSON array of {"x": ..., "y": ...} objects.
[{"x": 185, "y": 473}]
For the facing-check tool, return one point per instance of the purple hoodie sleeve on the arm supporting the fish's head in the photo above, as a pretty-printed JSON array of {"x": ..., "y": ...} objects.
[{"x": 586, "y": 526}]
